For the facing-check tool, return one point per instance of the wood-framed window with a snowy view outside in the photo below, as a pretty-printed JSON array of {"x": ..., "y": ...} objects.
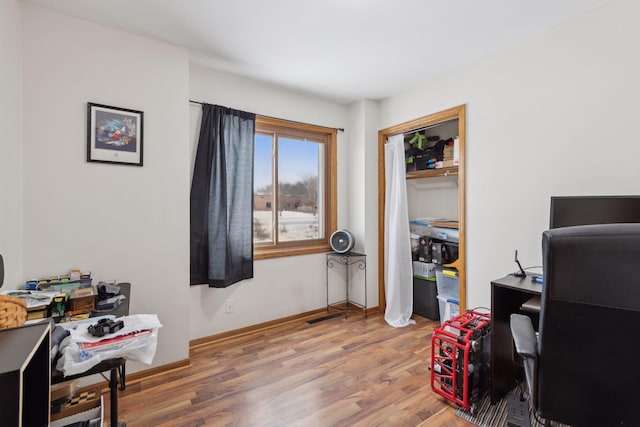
[{"x": 297, "y": 214}]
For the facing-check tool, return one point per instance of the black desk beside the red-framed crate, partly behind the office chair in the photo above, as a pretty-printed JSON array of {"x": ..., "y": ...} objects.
[{"x": 507, "y": 296}]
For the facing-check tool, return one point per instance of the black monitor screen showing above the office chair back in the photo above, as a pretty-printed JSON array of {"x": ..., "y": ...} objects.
[{"x": 584, "y": 210}]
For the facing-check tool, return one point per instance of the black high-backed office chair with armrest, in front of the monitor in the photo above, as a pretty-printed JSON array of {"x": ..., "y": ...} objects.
[{"x": 583, "y": 367}]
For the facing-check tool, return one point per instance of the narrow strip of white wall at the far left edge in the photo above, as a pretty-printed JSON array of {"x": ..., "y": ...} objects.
[{"x": 11, "y": 141}]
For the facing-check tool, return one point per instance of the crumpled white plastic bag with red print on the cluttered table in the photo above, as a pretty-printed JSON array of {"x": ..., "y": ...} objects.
[{"x": 137, "y": 340}]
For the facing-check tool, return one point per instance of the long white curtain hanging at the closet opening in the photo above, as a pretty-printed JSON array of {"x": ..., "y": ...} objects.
[{"x": 397, "y": 244}]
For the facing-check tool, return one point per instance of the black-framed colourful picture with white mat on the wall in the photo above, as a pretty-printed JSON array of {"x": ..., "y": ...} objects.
[{"x": 114, "y": 135}]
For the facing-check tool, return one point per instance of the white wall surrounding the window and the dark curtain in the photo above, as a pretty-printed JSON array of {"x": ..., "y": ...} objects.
[{"x": 281, "y": 287}]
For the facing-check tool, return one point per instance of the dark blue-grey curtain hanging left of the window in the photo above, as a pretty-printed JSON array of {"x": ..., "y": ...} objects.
[{"x": 222, "y": 198}]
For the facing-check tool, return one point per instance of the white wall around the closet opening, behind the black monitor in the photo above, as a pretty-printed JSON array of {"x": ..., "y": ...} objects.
[{"x": 551, "y": 116}]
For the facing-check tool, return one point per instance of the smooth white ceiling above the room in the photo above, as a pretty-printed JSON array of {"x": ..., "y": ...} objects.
[{"x": 343, "y": 50}]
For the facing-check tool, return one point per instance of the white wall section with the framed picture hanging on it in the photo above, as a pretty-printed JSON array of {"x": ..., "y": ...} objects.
[{"x": 121, "y": 222}]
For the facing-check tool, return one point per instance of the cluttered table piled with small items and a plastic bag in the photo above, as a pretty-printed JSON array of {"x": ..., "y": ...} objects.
[{"x": 92, "y": 333}]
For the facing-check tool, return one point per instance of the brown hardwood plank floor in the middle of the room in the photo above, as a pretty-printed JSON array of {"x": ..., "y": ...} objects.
[{"x": 336, "y": 372}]
